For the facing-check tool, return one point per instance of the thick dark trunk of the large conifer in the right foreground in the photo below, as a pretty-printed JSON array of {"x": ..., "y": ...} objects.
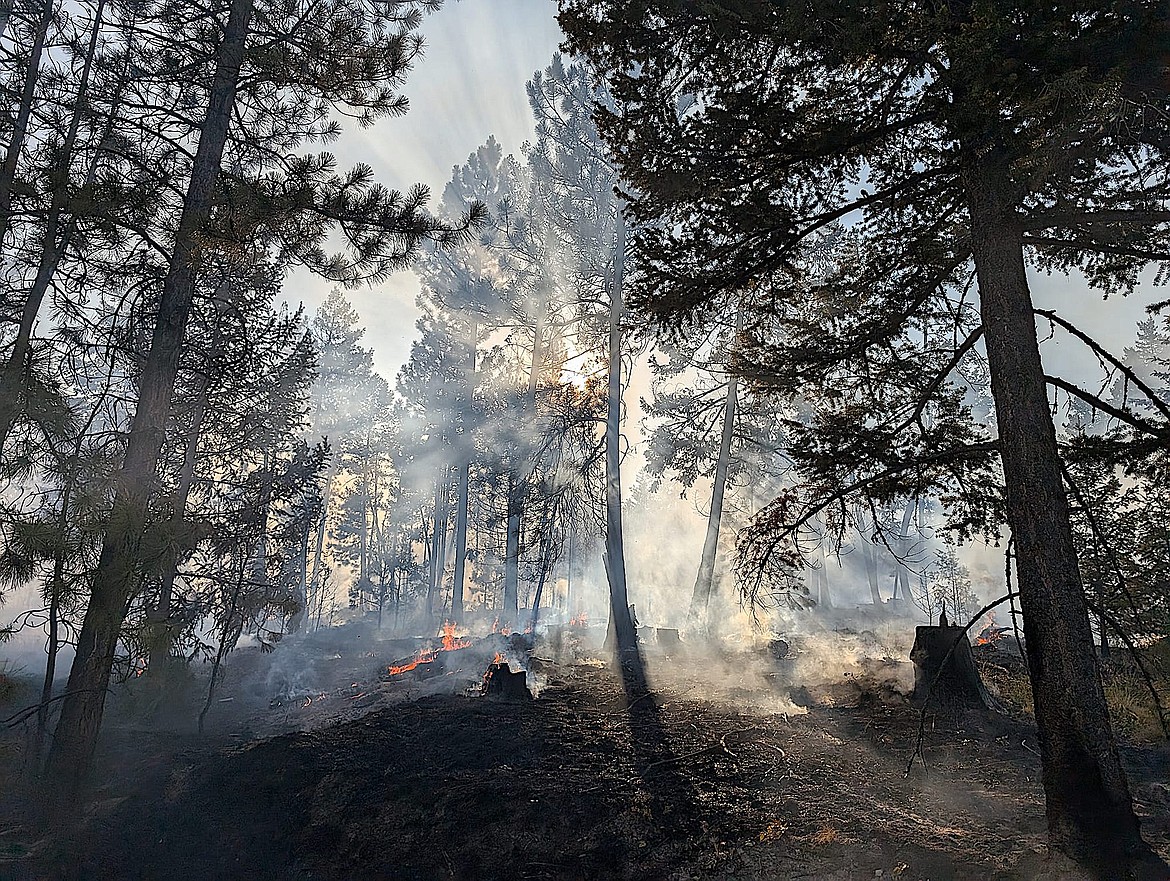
[{"x": 1091, "y": 816}]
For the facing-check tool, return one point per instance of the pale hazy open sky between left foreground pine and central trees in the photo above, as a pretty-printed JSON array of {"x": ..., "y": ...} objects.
[{"x": 471, "y": 85}]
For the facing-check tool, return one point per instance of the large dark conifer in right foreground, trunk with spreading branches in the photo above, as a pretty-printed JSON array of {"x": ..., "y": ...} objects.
[{"x": 962, "y": 142}]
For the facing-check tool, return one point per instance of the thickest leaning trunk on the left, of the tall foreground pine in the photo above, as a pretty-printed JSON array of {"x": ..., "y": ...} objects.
[{"x": 115, "y": 581}]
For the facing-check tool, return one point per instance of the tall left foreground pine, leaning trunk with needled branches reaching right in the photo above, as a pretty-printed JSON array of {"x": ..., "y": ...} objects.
[{"x": 356, "y": 54}]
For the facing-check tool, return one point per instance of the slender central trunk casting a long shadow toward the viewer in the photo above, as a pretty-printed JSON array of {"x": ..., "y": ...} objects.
[{"x": 615, "y": 549}]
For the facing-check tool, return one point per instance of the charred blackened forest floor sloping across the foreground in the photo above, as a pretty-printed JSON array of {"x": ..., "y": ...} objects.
[{"x": 701, "y": 779}]
